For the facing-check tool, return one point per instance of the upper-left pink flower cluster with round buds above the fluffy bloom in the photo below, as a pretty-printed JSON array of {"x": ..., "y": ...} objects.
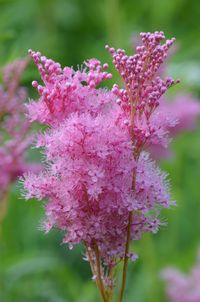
[{"x": 66, "y": 91}]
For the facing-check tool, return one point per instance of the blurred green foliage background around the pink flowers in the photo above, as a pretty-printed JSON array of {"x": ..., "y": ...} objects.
[{"x": 37, "y": 267}]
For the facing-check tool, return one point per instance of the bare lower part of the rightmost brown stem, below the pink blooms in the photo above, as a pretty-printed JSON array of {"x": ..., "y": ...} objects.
[{"x": 126, "y": 257}]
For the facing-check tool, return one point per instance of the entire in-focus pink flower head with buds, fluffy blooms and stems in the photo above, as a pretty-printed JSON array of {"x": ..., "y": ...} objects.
[{"x": 102, "y": 189}]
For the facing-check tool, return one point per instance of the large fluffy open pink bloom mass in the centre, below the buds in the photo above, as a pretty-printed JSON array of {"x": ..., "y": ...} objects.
[{"x": 89, "y": 185}]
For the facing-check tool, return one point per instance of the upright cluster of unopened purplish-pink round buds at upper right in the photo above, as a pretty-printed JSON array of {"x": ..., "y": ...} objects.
[{"x": 140, "y": 69}]
